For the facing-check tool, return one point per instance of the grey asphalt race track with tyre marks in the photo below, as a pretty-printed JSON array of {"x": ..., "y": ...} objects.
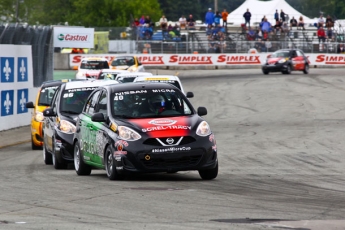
[{"x": 281, "y": 153}]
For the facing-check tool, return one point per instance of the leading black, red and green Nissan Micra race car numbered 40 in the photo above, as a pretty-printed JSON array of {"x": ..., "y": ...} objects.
[{"x": 143, "y": 128}]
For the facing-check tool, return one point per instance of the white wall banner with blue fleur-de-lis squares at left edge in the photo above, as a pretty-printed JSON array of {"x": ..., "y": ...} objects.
[{"x": 16, "y": 85}]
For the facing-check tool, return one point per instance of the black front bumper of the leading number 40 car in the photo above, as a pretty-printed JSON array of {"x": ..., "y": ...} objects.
[{"x": 196, "y": 156}]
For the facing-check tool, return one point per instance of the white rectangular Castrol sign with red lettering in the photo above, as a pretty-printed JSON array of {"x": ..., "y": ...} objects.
[{"x": 73, "y": 37}]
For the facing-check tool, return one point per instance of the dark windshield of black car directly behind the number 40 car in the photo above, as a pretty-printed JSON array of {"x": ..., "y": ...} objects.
[{"x": 73, "y": 101}]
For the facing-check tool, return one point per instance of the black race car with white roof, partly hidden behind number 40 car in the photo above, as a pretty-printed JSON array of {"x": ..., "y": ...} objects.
[{"x": 60, "y": 120}]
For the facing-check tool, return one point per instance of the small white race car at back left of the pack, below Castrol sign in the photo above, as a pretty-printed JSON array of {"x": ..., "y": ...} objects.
[{"x": 91, "y": 67}]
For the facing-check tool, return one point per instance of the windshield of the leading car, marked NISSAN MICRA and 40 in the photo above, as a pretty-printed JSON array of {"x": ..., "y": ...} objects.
[{"x": 150, "y": 103}]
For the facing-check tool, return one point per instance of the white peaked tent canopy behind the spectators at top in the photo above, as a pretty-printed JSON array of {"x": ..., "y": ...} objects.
[{"x": 259, "y": 9}]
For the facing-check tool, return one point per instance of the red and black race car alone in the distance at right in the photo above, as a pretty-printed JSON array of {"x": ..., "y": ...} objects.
[{"x": 285, "y": 61}]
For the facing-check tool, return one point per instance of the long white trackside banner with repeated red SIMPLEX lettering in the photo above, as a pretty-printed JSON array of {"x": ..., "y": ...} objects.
[{"x": 210, "y": 59}]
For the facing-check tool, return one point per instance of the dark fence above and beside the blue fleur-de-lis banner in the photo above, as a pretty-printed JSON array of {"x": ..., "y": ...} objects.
[{"x": 40, "y": 38}]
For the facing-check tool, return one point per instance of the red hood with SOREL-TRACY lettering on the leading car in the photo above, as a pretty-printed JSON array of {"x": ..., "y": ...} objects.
[{"x": 166, "y": 127}]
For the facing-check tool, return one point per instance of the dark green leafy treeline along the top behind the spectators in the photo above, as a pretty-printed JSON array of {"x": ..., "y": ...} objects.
[{"x": 117, "y": 13}]
